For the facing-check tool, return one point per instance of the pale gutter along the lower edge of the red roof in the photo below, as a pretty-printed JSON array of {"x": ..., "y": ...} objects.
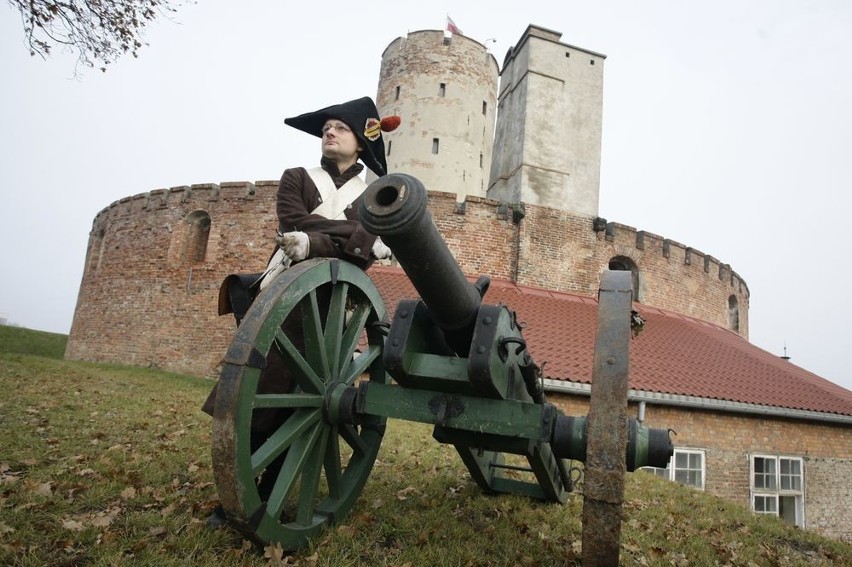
[{"x": 578, "y": 389}]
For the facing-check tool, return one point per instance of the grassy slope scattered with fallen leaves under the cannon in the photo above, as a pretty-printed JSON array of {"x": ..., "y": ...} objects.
[{"x": 108, "y": 465}]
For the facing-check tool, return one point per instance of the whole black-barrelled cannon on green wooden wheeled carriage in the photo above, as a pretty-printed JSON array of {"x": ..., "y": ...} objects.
[{"x": 446, "y": 359}]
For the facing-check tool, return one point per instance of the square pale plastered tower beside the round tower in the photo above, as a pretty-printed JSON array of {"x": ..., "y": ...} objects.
[{"x": 547, "y": 148}]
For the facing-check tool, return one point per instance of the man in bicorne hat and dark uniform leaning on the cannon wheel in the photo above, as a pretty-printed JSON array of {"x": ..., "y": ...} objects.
[{"x": 317, "y": 218}]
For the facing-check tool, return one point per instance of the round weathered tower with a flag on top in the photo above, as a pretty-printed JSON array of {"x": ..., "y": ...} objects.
[{"x": 445, "y": 90}]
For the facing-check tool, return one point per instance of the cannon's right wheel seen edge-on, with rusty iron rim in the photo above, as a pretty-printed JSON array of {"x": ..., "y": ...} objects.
[{"x": 603, "y": 485}]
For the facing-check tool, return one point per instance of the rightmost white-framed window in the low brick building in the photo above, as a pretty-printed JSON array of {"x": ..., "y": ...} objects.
[{"x": 777, "y": 487}]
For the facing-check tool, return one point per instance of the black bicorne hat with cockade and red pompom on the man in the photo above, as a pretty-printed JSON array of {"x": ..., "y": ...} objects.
[{"x": 362, "y": 116}]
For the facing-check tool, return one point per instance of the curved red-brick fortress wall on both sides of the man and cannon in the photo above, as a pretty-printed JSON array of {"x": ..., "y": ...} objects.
[{"x": 149, "y": 292}]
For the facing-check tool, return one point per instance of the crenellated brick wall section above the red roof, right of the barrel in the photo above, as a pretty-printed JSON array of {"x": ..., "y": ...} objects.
[{"x": 561, "y": 251}]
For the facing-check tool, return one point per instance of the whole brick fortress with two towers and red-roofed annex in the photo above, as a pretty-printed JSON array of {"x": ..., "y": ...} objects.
[{"x": 750, "y": 426}]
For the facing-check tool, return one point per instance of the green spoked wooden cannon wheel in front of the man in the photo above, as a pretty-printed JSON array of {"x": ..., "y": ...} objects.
[{"x": 285, "y": 467}]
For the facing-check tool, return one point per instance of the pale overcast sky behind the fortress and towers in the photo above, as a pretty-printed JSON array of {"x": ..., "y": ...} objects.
[{"x": 727, "y": 126}]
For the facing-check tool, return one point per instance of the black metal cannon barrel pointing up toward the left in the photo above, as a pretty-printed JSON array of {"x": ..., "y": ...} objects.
[{"x": 394, "y": 208}]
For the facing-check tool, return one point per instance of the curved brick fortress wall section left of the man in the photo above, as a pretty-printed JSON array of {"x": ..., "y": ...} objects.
[{"x": 148, "y": 296}]
